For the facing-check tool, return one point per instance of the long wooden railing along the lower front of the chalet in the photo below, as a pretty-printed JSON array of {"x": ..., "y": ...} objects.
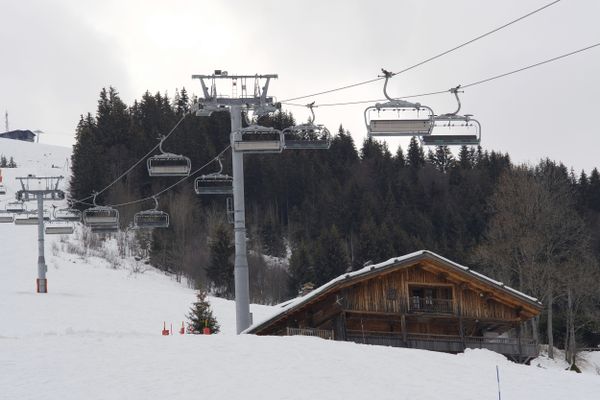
[{"x": 447, "y": 343}]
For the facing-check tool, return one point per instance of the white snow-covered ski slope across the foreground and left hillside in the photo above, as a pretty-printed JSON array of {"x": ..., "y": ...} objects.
[{"x": 96, "y": 335}]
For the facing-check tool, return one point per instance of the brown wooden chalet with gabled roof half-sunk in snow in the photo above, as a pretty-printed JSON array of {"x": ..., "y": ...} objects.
[{"x": 420, "y": 300}]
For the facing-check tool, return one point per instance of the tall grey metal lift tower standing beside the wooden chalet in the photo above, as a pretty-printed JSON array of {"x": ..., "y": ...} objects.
[{"x": 260, "y": 104}]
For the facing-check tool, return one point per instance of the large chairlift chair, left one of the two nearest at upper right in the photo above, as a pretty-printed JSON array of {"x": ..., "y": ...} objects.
[{"x": 398, "y": 117}]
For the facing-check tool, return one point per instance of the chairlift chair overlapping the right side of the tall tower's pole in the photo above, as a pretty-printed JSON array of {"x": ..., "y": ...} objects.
[{"x": 257, "y": 139}]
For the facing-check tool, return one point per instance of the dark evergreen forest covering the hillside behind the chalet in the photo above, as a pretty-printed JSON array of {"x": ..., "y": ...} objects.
[{"x": 533, "y": 227}]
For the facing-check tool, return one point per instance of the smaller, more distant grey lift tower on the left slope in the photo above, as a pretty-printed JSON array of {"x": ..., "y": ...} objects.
[{"x": 40, "y": 188}]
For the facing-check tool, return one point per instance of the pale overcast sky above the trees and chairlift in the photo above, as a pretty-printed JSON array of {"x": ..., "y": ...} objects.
[{"x": 57, "y": 55}]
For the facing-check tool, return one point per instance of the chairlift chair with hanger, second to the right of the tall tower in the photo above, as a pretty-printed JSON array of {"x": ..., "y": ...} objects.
[{"x": 307, "y": 136}]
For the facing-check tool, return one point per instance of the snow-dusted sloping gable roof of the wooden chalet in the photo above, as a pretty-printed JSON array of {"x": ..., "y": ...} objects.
[{"x": 293, "y": 304}]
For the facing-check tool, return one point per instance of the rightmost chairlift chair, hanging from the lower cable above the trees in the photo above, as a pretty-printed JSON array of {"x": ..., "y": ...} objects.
[{"x": 453, "y": 129}]
